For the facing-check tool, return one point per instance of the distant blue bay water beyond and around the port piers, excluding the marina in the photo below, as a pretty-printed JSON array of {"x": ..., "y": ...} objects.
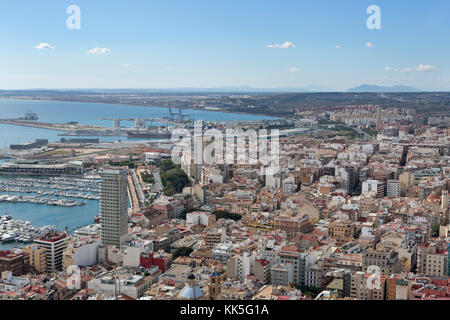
[{"x": 90, "y": 114}]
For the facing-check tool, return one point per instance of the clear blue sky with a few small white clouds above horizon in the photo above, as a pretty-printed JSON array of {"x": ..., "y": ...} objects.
[{"x": 212, "y": 43}]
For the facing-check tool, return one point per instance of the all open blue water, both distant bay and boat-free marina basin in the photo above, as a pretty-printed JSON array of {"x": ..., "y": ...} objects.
[{"x": 83, "y": 113}]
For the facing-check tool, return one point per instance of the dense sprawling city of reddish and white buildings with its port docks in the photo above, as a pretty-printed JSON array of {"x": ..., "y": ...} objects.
[{"x": 358, "y": 210}]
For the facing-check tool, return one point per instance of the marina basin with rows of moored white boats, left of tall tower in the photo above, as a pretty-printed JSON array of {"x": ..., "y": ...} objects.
[{"x": 64, "y": 202}]
